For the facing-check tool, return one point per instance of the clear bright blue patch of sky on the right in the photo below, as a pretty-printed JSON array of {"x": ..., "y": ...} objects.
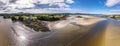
[{"x": 95, "y": 7}]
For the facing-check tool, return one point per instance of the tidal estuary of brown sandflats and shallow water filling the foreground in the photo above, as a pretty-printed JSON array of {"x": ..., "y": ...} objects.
[{"x": 71, "y": 32}]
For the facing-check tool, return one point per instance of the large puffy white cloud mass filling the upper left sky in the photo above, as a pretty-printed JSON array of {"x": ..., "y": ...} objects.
[{"x": 14, "y": 5}]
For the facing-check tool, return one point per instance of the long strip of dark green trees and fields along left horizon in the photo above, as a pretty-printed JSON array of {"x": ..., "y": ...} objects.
[{"x": 35, "y": 17}]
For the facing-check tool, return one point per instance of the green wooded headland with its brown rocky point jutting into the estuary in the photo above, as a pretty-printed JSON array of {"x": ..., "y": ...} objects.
[{"x": 36, "y": 21}]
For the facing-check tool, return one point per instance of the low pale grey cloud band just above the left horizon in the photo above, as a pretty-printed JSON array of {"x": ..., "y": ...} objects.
[{"x": 44, "y": 10}]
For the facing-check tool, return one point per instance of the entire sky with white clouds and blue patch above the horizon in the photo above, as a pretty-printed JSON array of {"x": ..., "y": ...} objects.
[{"x": 60, "y": 6}]
